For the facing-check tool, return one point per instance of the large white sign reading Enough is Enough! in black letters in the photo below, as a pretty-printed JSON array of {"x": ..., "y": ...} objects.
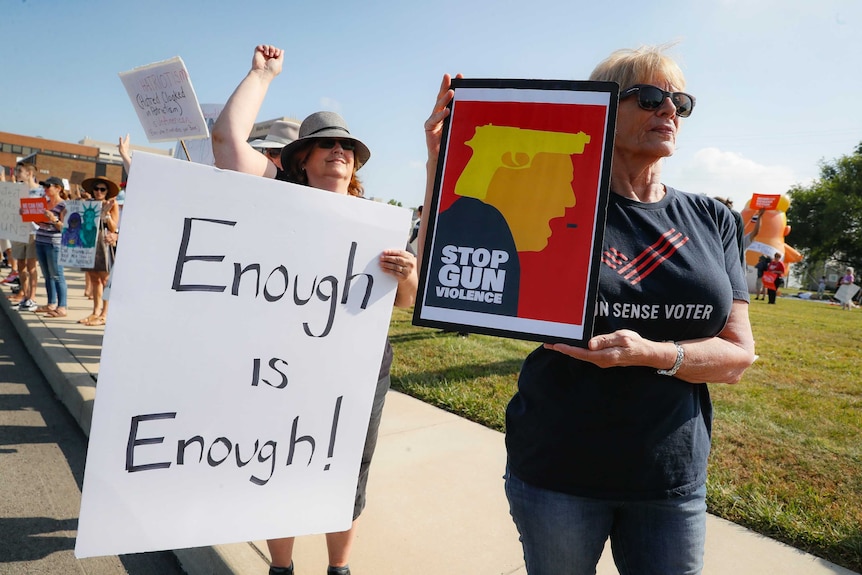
[{"x": 248, "y": 323}]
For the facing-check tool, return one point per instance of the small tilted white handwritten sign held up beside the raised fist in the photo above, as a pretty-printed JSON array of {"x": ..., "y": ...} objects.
[{"x": 163, "y": 96}]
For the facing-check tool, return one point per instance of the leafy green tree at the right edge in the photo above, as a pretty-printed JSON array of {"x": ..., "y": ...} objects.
[{"x": 826, "y": 217}]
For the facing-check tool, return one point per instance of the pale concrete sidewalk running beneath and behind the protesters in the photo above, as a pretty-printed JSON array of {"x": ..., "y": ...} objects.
[{"x": 436, "y": 502}]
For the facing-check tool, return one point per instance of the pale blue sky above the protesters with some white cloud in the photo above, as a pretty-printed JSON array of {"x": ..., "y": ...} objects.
[{"x": 777, "y": 81}]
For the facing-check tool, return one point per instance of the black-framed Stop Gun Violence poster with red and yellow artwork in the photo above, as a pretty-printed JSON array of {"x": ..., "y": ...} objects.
[{"x": 514, "y": 233}]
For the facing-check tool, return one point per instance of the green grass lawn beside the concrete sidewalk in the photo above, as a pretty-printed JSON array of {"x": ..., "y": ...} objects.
[{"x": 787, "y": 441}]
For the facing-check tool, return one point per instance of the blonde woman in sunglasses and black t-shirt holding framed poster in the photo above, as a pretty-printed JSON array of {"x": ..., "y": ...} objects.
[{"x": 611, "y": 441}]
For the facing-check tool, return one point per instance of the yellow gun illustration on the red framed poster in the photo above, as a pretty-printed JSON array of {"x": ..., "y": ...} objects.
[{"x": 504, "y": 146}]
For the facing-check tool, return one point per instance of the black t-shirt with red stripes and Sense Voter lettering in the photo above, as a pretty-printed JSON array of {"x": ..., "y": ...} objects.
[{"x": 670, "y": 271}]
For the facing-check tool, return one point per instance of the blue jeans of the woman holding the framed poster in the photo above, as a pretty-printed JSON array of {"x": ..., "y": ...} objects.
[{"x": 564, "y": 535}]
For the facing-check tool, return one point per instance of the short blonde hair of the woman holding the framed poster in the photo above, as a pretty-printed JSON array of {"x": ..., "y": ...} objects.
[{"x": 628, "y": 67}]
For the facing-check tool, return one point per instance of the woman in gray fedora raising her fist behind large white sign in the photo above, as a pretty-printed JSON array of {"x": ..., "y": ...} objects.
[{"x": 326, "y": 156}]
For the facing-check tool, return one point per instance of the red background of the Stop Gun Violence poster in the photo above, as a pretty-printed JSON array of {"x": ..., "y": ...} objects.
[{"x": 554, "y": 281}]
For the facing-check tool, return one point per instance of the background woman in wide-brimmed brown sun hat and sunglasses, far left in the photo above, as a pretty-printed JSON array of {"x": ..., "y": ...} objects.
[{"x": 105, "y": 190}]
